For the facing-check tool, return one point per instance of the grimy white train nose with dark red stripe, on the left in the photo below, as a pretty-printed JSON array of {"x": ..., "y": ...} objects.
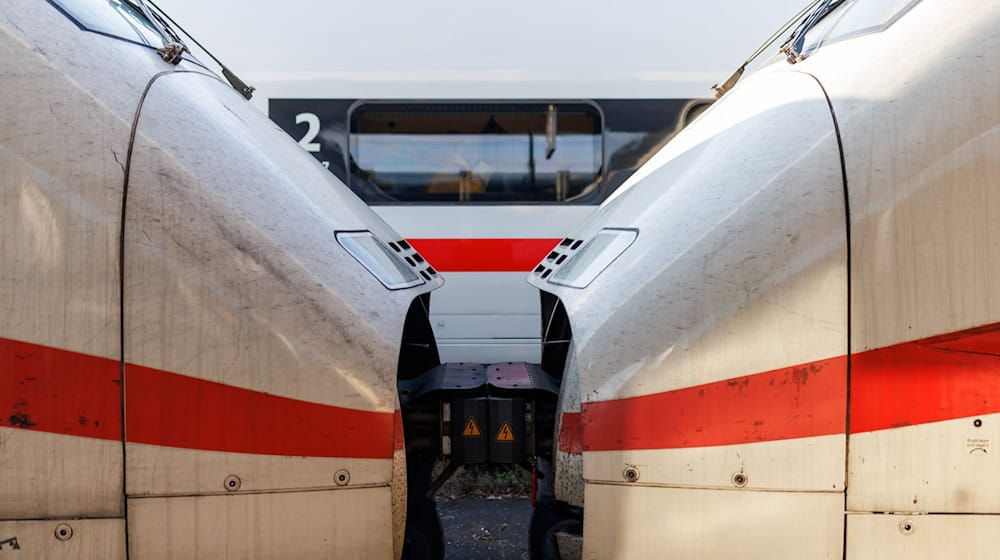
[{"x": 191, "y": 364}]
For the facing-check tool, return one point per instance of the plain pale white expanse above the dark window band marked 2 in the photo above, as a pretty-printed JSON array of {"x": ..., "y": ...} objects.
[{"x": 633, "y": 46}]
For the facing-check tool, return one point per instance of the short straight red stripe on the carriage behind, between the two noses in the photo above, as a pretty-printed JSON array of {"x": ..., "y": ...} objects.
[{"x": 483, "y": 255}]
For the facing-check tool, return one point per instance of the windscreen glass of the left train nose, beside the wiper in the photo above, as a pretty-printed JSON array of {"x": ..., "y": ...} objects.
[{"x": 112, "y": 17}]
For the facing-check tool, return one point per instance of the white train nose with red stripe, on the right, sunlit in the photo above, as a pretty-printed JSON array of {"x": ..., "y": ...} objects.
[{"x": 791, "y": 351}]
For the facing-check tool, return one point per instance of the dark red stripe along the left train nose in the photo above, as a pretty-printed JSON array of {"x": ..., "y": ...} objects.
[{"x": 58, "y": 391}]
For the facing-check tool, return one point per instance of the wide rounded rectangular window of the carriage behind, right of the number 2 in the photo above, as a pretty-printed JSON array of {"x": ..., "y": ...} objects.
[{"x": 475, "y": 152}]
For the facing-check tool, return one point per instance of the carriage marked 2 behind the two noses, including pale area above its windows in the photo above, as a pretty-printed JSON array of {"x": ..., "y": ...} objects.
[{"x": 437, "y": 116}]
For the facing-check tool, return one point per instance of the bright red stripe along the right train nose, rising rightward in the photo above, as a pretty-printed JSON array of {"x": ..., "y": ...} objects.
[{"x": 932, "y": 380}]
